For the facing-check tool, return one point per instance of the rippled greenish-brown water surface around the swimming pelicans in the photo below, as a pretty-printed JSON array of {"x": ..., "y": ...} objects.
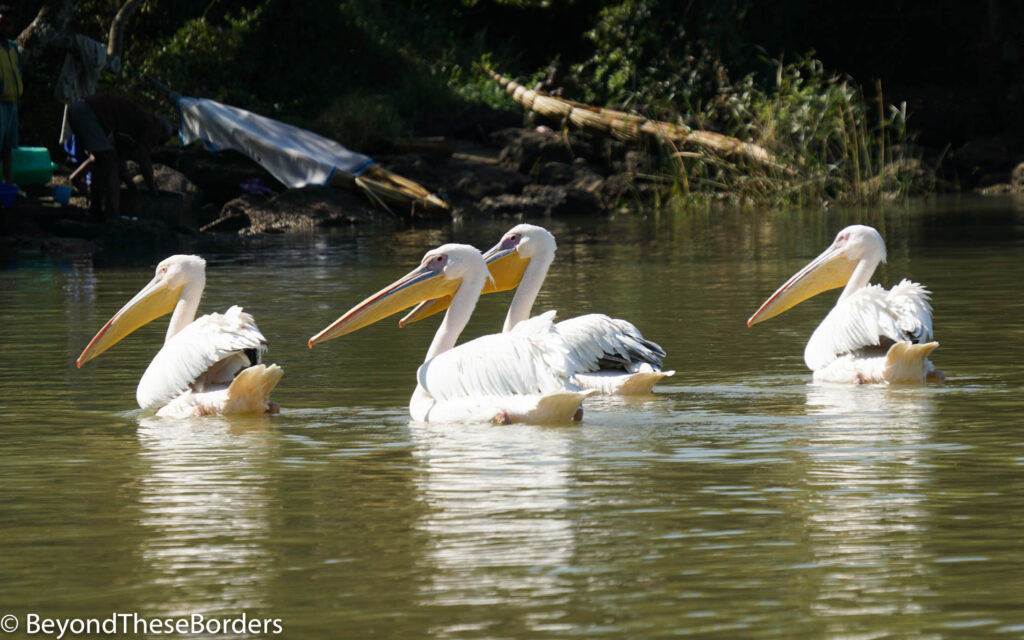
[{"x": 739, "y": 501}]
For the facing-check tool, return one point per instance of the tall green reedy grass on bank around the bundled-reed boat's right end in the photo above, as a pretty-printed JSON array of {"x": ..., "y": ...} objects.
[{"x": 833, "y": 144}]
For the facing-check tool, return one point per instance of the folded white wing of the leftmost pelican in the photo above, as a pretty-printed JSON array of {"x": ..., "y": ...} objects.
[{"x": 205, "y": 356}]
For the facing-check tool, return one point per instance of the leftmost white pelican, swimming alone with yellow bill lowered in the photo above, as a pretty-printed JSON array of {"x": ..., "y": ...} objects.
[{"x": 207, "y": 366}]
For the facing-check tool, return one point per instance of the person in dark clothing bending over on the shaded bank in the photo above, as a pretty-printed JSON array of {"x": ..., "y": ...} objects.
[{"x": 114, "y": 129}]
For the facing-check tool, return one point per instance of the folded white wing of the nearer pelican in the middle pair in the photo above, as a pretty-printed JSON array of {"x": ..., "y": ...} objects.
[{"x": 530, "y": 360}]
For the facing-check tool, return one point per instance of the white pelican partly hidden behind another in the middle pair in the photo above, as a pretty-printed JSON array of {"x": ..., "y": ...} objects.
[{"x": 608, "y": 355}]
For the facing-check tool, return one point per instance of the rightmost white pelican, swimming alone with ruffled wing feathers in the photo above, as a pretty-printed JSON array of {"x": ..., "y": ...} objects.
[{"x": 872, "y": 335}]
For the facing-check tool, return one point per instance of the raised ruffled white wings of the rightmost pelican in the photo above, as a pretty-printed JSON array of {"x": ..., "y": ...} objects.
[{"x": 870, "y": 318}]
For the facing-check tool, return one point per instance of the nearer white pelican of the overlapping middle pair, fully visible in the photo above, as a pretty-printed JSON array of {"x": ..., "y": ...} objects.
[{"x": 522, "y": 376}]
